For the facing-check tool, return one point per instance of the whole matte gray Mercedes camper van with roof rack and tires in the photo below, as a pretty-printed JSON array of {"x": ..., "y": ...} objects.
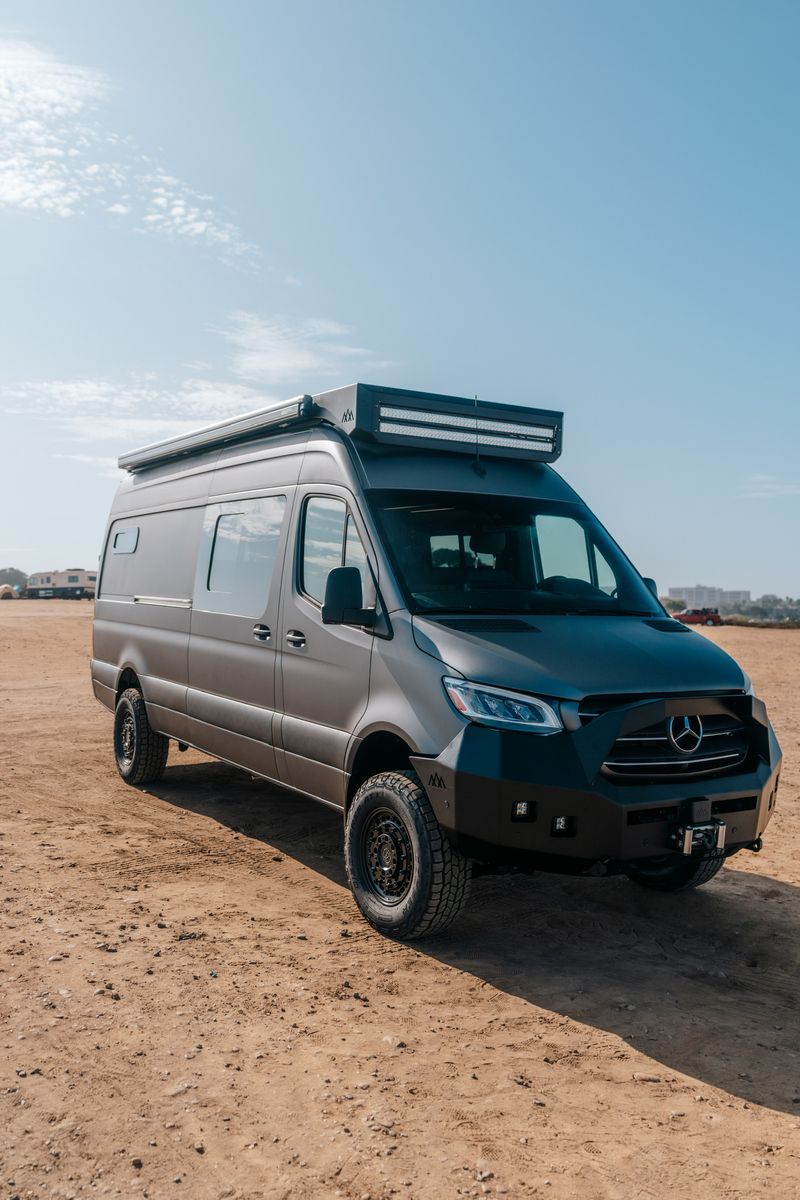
[{"x": 390, "y": 602}]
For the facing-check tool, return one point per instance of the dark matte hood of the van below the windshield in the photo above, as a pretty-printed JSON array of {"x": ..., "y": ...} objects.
[{"x": 572, "y": 657}]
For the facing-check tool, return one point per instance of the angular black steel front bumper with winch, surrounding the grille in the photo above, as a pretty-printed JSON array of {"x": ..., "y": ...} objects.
[{"x": 476, "y": 785}]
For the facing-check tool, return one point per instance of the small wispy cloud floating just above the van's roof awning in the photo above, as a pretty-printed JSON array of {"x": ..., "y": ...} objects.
[{"x": 276, "y": 351}]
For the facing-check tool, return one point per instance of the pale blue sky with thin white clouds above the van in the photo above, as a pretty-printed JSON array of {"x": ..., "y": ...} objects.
[{"x": 588, "y": 207}]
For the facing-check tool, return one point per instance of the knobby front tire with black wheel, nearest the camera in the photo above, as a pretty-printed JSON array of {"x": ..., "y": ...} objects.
[{"x": 406, "y": 878}]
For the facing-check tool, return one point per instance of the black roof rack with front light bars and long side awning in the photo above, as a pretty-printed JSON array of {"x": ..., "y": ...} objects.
[{"x": 388, "y": 416}]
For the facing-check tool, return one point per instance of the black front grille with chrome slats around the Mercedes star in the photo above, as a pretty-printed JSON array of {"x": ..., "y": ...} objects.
[{"x": 649, "y": 755}]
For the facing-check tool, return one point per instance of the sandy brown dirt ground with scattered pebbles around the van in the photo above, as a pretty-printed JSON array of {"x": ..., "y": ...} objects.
[{"x": 191, "y": 1006}]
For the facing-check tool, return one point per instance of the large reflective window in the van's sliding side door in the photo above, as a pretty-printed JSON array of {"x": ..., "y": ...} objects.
[{"x": 243, "y": 557}]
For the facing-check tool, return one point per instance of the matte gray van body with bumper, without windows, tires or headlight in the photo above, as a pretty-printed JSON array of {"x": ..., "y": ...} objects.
[{"x": 320, "y": 709}]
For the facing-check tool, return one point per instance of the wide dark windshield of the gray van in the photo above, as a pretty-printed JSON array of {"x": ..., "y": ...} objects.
[{"x": 460, "y": 554}]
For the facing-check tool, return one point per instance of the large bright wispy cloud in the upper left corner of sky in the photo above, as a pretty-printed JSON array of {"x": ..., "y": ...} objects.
[{"x": 57, "y": 158}]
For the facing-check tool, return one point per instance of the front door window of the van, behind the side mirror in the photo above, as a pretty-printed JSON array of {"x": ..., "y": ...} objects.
[{"x": 330, "y": 539}]
